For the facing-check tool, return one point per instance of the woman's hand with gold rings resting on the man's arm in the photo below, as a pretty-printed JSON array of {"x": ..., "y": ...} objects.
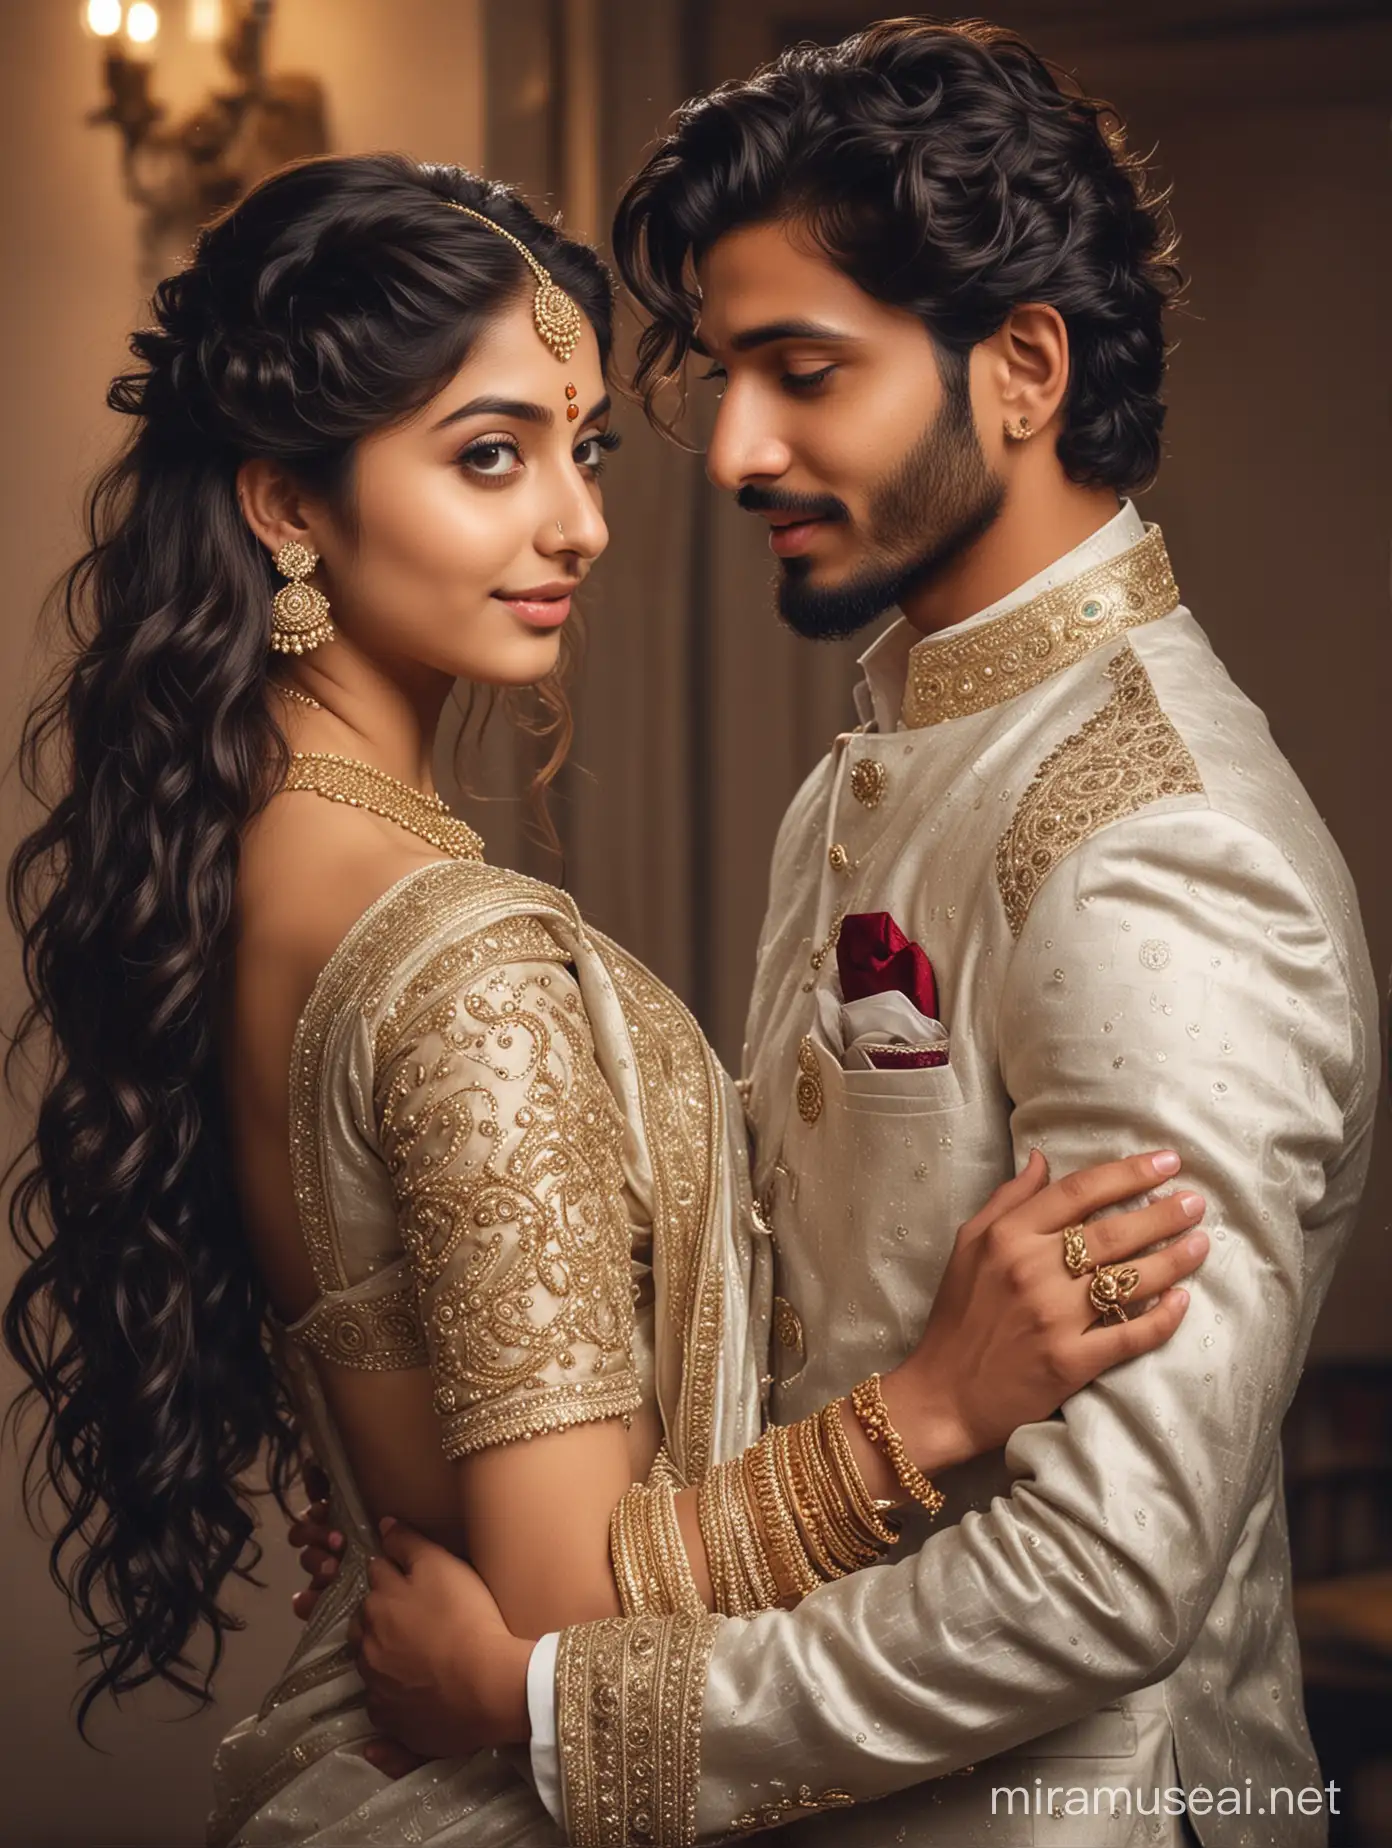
[{"x": 1012, "y": 1333}]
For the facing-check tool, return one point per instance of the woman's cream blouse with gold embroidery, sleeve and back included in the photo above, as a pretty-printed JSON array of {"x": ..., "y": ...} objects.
[{"x": 459, "y": 1169}]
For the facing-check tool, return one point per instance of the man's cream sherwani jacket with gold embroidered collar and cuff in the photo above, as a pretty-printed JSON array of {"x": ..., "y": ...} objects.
[{"x": 1143, "y": 938}]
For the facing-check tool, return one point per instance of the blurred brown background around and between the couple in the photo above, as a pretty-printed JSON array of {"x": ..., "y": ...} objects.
[{"x": 700, "y": 714}]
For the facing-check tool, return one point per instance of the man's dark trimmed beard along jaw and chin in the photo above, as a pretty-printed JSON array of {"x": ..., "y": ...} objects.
[{"x": 940, "y": 500}]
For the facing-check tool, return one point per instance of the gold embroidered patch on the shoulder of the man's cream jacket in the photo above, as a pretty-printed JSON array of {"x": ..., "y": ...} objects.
[{"x": 1123, "y": 759}]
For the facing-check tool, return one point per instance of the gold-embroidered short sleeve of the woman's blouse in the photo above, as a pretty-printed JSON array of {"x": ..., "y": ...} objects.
[{"x": 506, "y": 1145}]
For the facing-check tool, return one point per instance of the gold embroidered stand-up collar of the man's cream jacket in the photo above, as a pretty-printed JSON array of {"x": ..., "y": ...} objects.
[{"x": 1023, "y": 648}]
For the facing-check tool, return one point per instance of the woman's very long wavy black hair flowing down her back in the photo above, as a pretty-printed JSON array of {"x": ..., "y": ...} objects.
[{"x": 332, "y": 302}]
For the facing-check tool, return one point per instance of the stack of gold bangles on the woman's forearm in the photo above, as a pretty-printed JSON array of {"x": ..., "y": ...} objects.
[{"x": 785, "y": 1518}]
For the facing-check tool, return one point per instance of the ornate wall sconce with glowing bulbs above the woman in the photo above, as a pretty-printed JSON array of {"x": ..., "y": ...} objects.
[{"x": 180, "y": 175}]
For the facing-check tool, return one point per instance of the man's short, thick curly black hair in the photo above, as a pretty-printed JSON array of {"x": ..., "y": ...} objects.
[{"x": 946, "y": 171}]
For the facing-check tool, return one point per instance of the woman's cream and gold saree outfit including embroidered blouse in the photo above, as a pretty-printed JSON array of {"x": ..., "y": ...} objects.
[{"x": 506, "y": 1136}]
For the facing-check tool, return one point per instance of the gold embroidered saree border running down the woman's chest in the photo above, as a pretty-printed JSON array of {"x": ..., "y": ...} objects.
[{"x": 683, "y": 1110}]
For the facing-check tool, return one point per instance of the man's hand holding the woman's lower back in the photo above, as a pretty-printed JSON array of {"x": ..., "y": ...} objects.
[{"x": 445, "y": 1673}]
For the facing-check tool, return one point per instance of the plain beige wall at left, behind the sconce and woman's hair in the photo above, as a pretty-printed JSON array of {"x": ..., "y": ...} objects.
[{"x": 402, "y": 77}]
